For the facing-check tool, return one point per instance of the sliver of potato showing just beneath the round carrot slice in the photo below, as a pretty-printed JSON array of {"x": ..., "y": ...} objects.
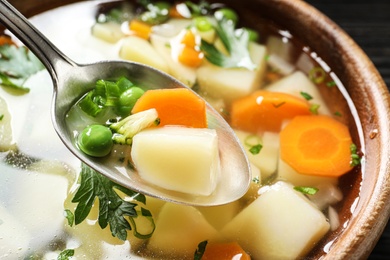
[{"x": 287, "y": 173}]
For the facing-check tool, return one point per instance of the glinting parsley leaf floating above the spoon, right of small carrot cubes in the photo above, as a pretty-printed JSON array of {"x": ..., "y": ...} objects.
[{"x": 236, "y": 43}]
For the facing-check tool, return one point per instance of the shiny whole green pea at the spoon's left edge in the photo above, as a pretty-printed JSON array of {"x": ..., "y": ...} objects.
[{"x": 95, "y": 140}]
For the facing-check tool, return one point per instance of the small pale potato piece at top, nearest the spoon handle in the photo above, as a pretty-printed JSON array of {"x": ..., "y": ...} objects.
[{"x": 110, "y": 32}]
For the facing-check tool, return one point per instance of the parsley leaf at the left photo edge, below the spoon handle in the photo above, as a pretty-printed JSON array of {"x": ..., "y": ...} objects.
[{"x": 16, "y": 65}]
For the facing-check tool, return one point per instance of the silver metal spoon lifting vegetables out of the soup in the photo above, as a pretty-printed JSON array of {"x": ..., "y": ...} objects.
[{"x": 71, "y": 81}]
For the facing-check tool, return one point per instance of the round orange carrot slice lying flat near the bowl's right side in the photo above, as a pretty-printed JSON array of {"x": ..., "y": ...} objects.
[{"x": 316, "y": 145}]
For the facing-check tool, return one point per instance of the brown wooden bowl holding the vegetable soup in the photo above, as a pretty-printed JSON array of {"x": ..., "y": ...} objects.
[{"x": 366, "y": 209}]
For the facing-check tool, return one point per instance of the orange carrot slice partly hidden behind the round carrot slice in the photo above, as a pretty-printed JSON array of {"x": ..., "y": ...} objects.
[{"x": 266, "y": 111}]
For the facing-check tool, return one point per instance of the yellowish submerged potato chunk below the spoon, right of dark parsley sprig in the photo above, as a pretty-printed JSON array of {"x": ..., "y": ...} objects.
[{"x": 179, "y": 230}]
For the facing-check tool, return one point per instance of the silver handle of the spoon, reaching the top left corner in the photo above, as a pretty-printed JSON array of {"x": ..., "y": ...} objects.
[{"x": 50, "y": 56}]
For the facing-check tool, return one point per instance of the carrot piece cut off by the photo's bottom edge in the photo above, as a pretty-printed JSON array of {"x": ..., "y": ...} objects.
[{"x": 225, "y": 251}]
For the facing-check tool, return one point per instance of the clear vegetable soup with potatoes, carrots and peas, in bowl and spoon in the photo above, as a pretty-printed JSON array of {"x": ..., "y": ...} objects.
[{"x": 286, "y": 106}]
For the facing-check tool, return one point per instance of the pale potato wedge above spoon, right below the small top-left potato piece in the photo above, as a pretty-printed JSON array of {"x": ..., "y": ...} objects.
[{"x": 140, "y": 50}]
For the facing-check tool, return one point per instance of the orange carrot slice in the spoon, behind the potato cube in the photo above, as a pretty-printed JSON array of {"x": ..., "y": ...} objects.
[{"x": 177, "y": 106}]
